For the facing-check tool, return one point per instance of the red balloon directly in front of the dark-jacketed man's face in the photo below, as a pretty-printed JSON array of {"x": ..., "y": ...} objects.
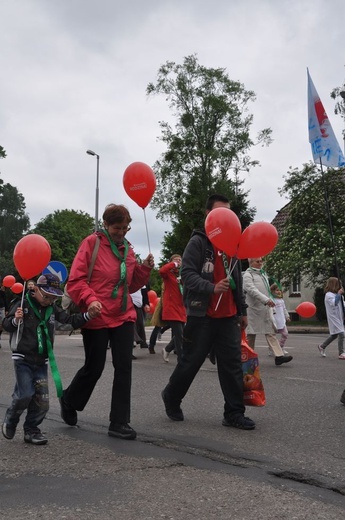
[{"x": 223, "y": 229}]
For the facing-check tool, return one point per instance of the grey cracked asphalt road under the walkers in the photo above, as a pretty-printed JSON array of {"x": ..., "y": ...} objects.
[{"x": 292, "y": 466}]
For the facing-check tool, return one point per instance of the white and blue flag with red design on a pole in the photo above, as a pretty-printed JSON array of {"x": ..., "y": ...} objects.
[{"x": 324, "y": 144}]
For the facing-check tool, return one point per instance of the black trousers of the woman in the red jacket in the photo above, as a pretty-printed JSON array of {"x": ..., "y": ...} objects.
[{"x": 95, "y": 346}]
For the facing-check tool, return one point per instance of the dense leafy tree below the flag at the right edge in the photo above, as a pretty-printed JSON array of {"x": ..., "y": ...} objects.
[{"x": 305, "y": 247}]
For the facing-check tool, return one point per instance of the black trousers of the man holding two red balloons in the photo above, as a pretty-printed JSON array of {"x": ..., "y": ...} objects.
[{"x": 199, "y": 335}]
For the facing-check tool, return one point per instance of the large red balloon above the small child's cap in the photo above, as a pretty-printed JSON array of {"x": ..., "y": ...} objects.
[{"x": 31, "y": 255}]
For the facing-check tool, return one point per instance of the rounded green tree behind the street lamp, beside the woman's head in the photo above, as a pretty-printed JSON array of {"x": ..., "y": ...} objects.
[{"x": 64, "y": 230}]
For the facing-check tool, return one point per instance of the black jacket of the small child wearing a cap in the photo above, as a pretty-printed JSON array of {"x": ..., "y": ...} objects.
[{"x": 27, "y": 347}]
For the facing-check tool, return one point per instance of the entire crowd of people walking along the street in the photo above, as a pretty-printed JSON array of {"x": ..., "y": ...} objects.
[{"x": 206, "y": 310}]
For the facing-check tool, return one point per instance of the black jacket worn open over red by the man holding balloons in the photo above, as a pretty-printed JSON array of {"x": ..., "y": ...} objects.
[{"x": 197, "y": 276}]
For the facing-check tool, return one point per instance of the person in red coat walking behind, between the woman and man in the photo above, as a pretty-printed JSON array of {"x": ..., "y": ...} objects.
[{"x": 173, "y": 310}]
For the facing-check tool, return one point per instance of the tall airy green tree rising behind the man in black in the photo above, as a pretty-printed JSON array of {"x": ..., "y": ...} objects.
[{"x": 207, "y": 151}]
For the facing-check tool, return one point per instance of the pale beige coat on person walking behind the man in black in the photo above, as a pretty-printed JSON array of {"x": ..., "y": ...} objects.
[{"x": 256, "y": 290}]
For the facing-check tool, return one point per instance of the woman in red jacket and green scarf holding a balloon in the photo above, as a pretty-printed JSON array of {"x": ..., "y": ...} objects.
[{"x": 116, "y": 273}]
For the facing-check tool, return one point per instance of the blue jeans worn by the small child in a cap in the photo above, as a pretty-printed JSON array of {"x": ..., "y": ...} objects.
[{"x": 30, "y": 393}]
